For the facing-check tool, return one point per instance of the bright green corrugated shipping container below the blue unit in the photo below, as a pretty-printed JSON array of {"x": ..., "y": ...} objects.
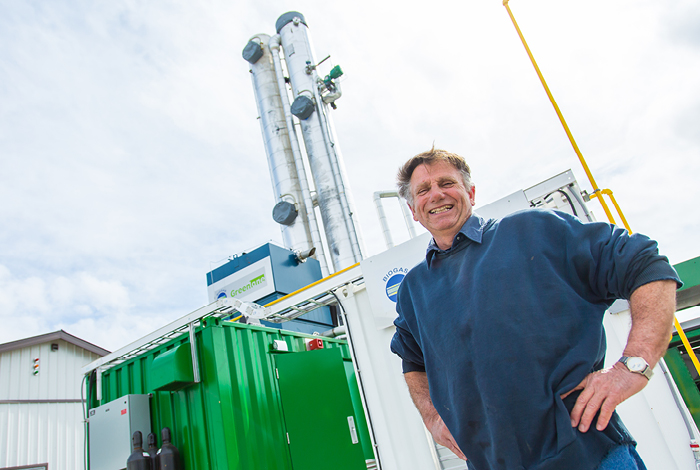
[{"x": 256, "y": 407}]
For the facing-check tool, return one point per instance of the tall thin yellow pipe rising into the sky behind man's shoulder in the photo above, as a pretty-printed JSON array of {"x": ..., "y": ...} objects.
[{"x": 596, "y": 190}]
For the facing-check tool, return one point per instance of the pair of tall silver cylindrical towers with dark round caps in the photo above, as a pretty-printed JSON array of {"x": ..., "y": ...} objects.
[{"x": 271, "y": 57}]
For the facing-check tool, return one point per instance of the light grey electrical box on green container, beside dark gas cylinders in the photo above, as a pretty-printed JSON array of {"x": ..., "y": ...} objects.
[{"x": 111, "y": 427}]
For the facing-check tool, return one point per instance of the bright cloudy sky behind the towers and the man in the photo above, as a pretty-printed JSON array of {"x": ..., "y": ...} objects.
[{"x": 131, "y": 159}]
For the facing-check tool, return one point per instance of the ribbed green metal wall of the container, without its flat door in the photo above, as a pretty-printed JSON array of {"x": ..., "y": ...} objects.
[{"x": 233, "y": 418}]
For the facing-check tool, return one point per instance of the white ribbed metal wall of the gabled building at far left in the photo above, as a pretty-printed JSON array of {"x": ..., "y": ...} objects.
[{"x": 41, "y": 415}]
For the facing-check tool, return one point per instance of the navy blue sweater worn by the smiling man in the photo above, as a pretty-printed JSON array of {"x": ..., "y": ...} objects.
[{"x": 510, "y": 318}]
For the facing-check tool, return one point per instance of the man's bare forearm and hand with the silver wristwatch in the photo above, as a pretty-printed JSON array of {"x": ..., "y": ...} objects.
[{"x": 652, "y": 307}]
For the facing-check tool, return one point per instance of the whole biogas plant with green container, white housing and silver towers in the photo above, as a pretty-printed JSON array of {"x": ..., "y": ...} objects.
[{"x": 240, "y": 394}]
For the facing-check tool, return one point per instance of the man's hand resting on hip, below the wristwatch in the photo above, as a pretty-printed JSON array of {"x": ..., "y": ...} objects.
[{"x": 603, "y": 390}]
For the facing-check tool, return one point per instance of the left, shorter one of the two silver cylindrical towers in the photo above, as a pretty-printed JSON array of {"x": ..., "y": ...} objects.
[{"x": 276, "y": 136}]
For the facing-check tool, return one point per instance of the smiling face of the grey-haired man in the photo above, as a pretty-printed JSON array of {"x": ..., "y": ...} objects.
[{"x": 441, "y": 203}]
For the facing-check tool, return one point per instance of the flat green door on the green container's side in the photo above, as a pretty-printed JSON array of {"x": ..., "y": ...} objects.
[{"x": 318, "y": 412}]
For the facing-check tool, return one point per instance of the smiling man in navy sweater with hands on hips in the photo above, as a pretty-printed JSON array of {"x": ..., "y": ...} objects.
[{"x": 500, "y": 327}]
